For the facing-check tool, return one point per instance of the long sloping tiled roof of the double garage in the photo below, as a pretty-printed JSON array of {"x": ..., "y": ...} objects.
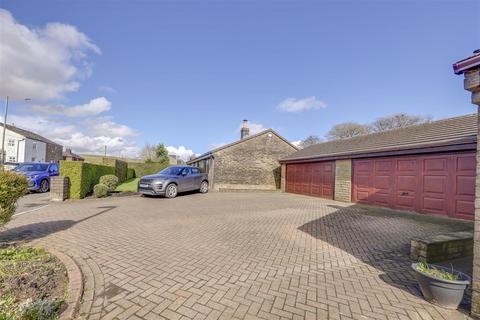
[{"x": 459, "y": 131}]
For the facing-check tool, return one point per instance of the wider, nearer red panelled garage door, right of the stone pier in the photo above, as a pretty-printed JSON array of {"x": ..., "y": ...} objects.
[{"x": 439, "y": 184}]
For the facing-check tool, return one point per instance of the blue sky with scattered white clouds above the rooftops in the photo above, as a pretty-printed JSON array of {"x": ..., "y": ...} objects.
[{"x": 186, "y": 73}]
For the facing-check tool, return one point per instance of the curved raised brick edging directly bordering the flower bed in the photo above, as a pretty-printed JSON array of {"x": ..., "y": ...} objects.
[{"x": 75, "y": 285}]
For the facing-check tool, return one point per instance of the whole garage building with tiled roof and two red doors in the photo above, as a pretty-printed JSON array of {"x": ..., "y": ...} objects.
[{"x": 427, "y": 168}]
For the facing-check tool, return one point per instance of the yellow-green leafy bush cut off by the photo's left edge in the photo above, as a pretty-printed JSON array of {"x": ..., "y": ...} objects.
[{"x": 12, "y": 187}]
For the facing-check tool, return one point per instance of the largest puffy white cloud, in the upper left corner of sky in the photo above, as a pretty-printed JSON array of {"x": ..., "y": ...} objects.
[{"x": 42, "y": 63}]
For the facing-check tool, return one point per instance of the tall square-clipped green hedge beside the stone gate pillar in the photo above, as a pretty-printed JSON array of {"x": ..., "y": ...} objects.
[{"x": 83, "y": 176}]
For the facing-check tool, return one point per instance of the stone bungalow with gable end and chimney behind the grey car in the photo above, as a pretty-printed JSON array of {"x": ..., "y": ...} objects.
[{"x": 249, "y": 163}]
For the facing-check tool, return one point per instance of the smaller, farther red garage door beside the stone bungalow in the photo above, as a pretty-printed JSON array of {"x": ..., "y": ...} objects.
[{"x": 313, "y": 179}]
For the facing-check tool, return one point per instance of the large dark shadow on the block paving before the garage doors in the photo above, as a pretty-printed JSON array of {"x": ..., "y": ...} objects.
[{"x": 381, "y": 238}]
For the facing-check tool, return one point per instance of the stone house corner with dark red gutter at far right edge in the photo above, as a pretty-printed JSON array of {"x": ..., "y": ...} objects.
[{"x": 470, "y": 68}]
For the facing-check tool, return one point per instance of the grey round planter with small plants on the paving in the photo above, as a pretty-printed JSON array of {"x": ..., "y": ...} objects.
[{"x": 440, "y": 285}]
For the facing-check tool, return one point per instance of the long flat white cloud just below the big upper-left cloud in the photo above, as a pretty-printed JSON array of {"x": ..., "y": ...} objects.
[{"x": 94, "y": 107}]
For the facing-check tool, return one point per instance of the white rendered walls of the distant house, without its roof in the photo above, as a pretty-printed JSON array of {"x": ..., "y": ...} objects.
[{"x": 23, "y": 149}]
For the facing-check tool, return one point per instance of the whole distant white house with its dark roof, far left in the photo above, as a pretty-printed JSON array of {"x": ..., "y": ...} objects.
[{"x": 26, "y": 146}]
